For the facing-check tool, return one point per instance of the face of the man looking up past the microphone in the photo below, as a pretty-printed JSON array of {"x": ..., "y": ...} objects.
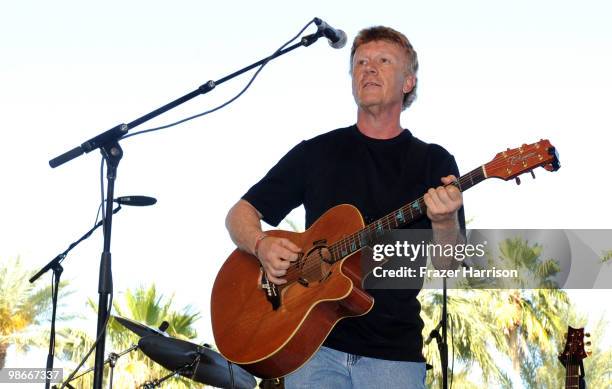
[{"x": 380, "y": 75}]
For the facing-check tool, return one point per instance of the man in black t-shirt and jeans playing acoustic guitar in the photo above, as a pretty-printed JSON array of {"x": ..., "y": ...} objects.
[{"x": 378, "y": 167}]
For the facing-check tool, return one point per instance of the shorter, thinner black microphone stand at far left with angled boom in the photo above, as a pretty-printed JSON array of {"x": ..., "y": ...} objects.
[{"x": 55, "y": 265}]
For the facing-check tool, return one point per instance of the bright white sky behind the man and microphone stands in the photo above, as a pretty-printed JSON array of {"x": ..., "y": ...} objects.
[{"x": 492, "y": 75}]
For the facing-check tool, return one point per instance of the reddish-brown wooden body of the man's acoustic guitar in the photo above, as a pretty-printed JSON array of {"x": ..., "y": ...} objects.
[{"x": 271, "y": 342}]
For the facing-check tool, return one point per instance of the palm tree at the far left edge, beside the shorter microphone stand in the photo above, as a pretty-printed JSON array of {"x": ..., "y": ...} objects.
[{"x": 23, "y": 309}]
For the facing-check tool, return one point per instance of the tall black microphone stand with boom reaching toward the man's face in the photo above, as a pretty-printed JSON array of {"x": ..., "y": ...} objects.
[{"x": 108, "y": 143}]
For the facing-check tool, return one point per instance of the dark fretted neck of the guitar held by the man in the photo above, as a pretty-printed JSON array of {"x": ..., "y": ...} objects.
[{"x": 397, "y": 219}]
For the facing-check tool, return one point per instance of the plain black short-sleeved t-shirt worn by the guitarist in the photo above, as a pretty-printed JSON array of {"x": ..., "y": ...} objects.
[{"x": 377, "y": 176}]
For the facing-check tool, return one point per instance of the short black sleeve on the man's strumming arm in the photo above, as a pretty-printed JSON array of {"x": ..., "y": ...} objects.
[{"x": 282, "y": 188}]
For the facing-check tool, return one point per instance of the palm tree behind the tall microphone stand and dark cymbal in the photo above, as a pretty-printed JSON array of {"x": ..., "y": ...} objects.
[{"x": 144, "y": 305}]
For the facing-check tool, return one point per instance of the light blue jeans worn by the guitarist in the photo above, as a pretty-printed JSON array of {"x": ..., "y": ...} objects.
[{"x": 333, "y": 369}]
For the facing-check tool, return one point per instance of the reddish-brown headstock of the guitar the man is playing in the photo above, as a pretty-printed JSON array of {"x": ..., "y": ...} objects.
[{"x": 514, "y": 162}]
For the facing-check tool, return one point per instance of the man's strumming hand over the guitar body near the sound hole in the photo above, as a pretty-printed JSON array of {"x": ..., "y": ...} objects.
[{"x": 276, "y": 255}]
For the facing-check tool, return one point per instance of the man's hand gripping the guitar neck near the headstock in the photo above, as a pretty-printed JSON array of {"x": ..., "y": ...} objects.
[{"x": 443, "y": 203}]
